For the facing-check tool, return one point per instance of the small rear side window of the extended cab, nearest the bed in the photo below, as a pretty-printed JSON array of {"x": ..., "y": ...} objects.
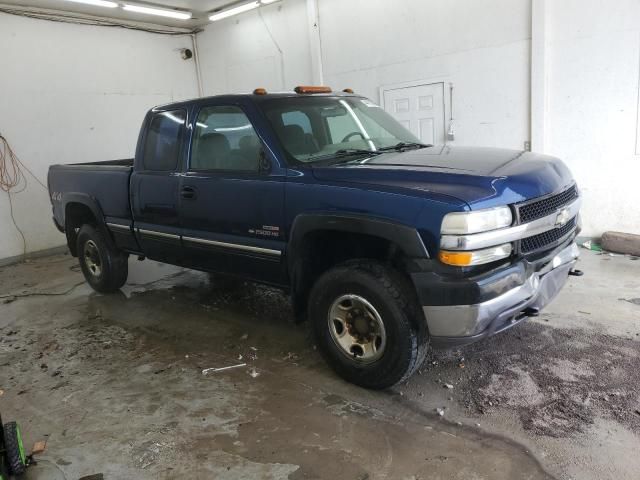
[{"x": 163, "y": 141}]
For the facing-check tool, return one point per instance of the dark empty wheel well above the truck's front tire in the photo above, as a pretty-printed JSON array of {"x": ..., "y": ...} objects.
[{"x": 321, "y": 250}]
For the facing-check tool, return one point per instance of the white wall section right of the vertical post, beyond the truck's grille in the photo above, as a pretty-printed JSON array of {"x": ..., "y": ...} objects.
[{"x": 592, "y": 117}]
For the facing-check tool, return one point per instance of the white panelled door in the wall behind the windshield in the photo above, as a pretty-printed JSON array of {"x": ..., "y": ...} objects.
[{"x": 420, "y": 109}]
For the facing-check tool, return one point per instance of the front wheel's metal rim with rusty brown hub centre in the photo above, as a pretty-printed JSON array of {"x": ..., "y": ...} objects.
[{"x": 357, "y": 329}]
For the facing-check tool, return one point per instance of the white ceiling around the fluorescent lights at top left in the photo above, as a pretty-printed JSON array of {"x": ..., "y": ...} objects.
[{"x": 200, "y": 9}]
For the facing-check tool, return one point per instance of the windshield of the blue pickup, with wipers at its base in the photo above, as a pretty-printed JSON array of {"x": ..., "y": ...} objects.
[{"x": 319, "y": 128}]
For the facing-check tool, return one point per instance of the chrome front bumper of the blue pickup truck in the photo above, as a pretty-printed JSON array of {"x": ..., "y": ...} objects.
[{"x": 461, "y": 324}]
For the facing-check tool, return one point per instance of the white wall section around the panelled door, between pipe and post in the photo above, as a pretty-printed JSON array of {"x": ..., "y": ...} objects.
[{"x": 481, "y": 47}]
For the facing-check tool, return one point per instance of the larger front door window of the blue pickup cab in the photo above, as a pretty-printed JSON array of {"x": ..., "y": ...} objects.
[{"x": 224, "y": 139}]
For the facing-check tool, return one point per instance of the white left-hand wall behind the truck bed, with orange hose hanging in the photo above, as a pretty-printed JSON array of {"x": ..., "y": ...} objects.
[{"x": 71, "y": 93}]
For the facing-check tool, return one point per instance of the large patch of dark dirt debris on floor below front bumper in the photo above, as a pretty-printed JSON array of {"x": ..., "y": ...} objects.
[{"x": 548, "y": 398}]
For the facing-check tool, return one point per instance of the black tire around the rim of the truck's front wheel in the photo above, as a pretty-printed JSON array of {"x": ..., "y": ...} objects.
[{"x": 393, "y": 297}]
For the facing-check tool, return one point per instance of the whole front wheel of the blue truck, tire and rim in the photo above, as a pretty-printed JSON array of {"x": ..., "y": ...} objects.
[{"x": 367, "y": 324}]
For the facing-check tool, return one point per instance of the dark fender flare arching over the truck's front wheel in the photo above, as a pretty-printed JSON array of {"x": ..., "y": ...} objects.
[{"x": 406, "y": 237}]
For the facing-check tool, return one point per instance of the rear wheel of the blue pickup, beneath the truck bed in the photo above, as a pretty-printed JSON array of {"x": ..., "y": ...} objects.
[{"x": 112, "y": 268}]
